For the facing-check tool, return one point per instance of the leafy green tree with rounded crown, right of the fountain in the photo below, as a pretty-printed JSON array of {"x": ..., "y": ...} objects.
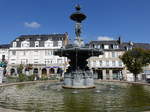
[{"x": 135, "y": 60}]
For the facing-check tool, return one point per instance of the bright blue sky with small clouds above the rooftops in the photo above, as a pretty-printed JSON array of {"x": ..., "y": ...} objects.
[{"x": 106, "y": 19}]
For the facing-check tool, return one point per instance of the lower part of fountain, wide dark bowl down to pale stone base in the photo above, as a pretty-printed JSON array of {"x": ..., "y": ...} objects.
[{"x": 78, "y": 74}]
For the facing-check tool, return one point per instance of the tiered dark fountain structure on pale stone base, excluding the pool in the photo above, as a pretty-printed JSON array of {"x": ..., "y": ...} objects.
[{"x": 78, "y": 74}]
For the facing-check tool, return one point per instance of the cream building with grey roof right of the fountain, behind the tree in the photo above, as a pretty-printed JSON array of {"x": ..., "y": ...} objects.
[{"x": 109, "y": 66}]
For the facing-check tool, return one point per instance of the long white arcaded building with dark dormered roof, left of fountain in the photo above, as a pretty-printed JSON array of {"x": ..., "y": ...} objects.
[{"x": 36, "y": 54}]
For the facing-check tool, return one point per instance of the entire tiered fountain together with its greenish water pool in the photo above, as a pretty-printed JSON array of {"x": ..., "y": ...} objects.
[{"x": 49, "y": 96}]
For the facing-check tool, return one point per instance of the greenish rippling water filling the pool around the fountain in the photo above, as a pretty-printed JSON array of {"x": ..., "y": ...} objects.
[{"x": 49, "y": 96}]
